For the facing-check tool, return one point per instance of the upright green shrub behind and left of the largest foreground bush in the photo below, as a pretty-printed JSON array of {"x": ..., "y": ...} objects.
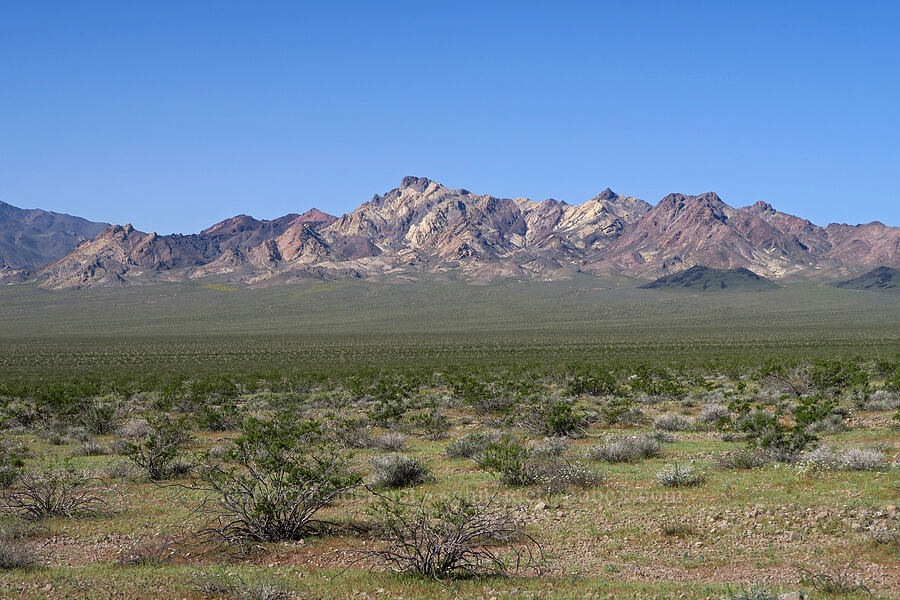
[{"x": 156, "y": 453}]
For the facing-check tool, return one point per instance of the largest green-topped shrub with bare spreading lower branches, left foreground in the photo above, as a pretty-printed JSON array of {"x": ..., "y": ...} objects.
[{"x": 279, "y": 475}]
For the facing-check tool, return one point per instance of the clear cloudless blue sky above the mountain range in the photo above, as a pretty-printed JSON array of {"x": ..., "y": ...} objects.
[{"x": 174, "y": 115}]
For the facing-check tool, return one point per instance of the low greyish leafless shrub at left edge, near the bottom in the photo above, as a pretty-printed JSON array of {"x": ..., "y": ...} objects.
[{"x": 55, "y": 492}]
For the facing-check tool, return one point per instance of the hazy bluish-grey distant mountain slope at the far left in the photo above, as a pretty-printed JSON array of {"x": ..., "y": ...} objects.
[{"x": 30, "y": 238}]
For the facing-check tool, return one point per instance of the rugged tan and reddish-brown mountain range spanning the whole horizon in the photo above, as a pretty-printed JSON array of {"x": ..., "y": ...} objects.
[{"x": 423, "y": 227}]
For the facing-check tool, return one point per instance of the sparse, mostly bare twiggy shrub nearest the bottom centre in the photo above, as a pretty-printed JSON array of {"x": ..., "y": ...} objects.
[{"x": 452, "y": 538}]
